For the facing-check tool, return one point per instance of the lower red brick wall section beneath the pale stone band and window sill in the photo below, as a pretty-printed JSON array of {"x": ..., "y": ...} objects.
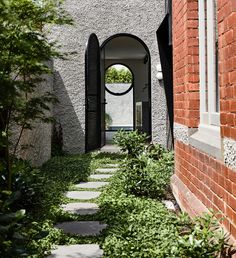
[{"x": 209, "y": 180}]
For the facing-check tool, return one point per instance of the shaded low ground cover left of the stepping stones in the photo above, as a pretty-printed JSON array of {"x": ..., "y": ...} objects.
[{"x": 38, "y": 194}]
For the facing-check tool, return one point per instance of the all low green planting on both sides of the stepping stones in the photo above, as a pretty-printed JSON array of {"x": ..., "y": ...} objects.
[{"x": 139, "y": 225}]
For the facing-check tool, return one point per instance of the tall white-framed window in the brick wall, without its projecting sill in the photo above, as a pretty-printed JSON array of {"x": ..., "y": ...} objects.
[{"x": 208, "y": 61}]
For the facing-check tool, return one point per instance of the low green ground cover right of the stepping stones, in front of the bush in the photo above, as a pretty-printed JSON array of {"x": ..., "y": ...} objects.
[{"x": 143, "y": 227}]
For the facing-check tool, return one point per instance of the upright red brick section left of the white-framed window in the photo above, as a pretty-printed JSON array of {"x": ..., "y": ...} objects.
[{"x": 186, "y": 64}]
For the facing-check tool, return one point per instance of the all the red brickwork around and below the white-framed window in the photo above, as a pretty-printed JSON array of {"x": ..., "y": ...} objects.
[{"x": 207, "y": 178}]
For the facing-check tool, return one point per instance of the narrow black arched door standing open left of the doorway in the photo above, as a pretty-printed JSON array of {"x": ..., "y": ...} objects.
[{"x": 93, "y": 94}]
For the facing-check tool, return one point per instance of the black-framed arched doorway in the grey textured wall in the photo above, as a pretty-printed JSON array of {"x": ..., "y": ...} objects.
[{"x": 131, "y": 52}]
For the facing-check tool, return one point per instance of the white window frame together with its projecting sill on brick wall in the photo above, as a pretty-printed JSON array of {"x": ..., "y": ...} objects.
[{"x": 207, "y": 138}]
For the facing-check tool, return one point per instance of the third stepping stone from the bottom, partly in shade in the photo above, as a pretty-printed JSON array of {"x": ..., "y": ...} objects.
[{"x": 81, "y": 208}]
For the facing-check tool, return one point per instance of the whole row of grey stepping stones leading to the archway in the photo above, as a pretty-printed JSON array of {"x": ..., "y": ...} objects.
[{"x": 84, "y": 228}]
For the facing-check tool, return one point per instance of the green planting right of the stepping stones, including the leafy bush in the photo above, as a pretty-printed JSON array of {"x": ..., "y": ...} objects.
[{"x": 139, "y": 223}]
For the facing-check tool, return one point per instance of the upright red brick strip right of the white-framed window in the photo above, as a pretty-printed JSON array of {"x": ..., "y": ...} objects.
[{"x": 227, "y": 66}]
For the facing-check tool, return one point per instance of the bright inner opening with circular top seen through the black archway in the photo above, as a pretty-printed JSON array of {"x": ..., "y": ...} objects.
[{"x": 119, "y": 95}]
